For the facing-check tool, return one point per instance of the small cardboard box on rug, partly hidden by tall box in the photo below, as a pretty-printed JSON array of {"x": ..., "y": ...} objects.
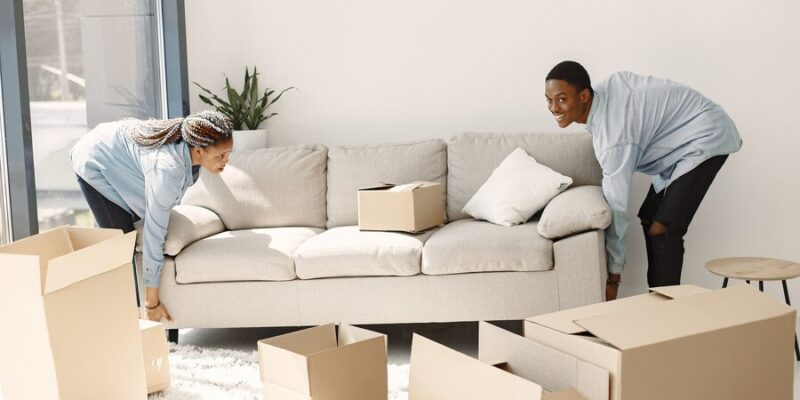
[{"x": 156, "y": 355}]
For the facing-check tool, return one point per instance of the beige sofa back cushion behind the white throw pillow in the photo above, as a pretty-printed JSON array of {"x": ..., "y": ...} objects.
[{"x": 471, "y": 158}]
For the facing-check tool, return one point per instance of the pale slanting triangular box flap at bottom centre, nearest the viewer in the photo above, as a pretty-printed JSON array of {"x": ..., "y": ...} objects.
[{"x": 440, "y": 373}]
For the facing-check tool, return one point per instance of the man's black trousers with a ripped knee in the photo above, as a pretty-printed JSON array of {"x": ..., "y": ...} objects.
[{"x": 674, "y": 207}]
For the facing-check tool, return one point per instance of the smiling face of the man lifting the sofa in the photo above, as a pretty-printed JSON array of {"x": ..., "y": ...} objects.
[{"x": 565, "y": 102}]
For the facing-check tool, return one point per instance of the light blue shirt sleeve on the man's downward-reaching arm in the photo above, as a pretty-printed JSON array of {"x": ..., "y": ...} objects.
[{"x": 618, "y": 164}]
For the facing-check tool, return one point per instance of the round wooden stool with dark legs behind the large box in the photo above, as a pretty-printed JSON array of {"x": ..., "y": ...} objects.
[{"x": 757, "y": 269}]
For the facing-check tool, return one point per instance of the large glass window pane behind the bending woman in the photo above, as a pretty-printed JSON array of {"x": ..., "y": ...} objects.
[{"x": 89, "y": 61}]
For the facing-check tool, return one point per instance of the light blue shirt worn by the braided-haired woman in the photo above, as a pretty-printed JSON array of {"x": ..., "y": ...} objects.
[{"x": 144, "y": 182}]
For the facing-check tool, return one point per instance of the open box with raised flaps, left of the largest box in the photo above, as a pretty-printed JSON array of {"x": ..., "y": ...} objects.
[{"x": 440, "y": 373}]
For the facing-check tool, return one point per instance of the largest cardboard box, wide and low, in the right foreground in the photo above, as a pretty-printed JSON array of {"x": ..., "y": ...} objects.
[{"x": 681, "y": 342}]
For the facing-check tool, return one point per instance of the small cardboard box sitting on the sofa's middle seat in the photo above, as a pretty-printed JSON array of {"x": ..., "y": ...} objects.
[{"x": 412, "y": 207}]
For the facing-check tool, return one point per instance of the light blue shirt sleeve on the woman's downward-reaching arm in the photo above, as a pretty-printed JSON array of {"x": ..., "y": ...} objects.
[{"x": 162, "y": 192}]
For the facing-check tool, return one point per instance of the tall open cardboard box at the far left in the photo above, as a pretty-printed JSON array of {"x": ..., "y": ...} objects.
[{"x": 70, "y": 324}]
